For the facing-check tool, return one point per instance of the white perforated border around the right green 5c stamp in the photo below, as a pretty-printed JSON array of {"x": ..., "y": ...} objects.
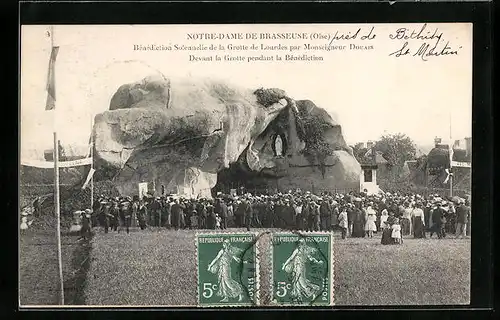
[{"x": 331, "y": 274}]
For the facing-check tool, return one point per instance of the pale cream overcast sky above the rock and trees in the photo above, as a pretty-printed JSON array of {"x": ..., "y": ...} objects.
[{"x": 369, "y": 92}]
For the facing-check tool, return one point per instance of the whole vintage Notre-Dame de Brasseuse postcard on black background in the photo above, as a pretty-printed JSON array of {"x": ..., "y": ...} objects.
[{"x": 245, "y": 165}]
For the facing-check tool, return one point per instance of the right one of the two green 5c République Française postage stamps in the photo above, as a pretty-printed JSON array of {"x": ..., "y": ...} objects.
[{"x": 302, "y": 269}]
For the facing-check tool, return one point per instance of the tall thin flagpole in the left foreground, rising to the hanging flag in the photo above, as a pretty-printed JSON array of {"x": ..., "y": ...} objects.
[{"x": 56, "y": 194}]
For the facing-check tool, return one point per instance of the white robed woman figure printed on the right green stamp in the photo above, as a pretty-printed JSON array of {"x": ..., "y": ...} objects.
[{"x": 296, "y": 266}]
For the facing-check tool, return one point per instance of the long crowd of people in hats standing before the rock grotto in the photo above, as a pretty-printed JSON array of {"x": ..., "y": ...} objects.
[{"x": 396, "y": 216}]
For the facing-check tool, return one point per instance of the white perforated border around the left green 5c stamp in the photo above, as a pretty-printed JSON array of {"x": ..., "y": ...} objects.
[{"x": 257, "y": 269}]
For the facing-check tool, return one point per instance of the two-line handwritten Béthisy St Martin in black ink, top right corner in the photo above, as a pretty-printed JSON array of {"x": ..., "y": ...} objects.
[{"x": 433, "y": 46}]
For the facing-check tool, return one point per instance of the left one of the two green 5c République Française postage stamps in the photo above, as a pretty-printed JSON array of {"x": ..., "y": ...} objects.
[{"x": 228, "y": 270}]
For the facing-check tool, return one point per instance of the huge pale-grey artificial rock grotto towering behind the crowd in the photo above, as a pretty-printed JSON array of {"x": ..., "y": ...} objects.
[{"x": 178, "y": 134}]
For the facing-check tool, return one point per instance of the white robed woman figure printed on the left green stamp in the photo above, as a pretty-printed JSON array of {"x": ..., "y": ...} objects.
[{"x": 221, "y": 266}]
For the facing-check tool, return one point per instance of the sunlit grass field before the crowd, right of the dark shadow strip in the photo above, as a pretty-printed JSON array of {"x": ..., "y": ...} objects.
[{"x": 159, "y": 268}]
